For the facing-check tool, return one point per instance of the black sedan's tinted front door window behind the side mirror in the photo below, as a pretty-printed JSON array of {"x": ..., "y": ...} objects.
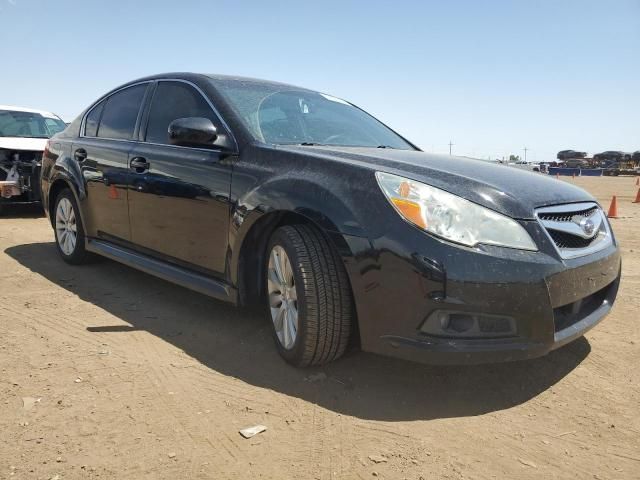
[{"x": 173, "y": 100}]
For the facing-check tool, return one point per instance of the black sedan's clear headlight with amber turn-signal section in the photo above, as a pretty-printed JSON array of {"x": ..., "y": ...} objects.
[{"x": 451, "y": 217}]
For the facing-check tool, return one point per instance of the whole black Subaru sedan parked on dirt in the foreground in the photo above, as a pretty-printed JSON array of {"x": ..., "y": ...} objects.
[{"x": 248, "y": 190}]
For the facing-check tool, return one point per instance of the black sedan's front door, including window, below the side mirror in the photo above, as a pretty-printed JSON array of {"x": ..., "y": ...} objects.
[{"x": 179, "y": 196}]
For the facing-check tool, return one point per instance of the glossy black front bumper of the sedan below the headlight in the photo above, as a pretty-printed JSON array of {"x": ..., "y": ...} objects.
[{"x": 401, "y": 279}]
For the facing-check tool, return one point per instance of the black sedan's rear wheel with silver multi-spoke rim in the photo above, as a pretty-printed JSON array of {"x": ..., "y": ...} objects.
[{"x": 77, "y": 254}]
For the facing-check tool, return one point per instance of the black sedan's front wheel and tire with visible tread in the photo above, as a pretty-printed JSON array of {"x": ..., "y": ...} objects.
[{"x": 323, "y": 300}]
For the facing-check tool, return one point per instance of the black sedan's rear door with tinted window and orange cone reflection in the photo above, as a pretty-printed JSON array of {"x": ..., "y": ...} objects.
[{"x": 103, "y": 151}]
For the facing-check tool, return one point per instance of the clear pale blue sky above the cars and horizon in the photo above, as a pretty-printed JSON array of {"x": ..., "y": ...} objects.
[{"x": 491, "y": 76}]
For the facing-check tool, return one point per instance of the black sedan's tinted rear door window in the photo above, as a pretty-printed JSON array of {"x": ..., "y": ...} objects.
[{"x": 120, "y": 113}]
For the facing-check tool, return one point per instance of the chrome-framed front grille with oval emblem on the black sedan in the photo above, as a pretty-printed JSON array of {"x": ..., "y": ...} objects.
[{"x": 568, "y": 228}]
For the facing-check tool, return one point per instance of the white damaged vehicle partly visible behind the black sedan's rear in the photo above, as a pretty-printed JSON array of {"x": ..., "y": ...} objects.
[{"x": 23, "y": 136}]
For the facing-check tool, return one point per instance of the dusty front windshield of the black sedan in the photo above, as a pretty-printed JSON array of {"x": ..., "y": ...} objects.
[{"x": 284, "y": 115}]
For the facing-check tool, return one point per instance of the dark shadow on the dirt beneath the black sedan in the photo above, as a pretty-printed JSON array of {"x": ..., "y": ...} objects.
[{"x": 237, "y": 342}]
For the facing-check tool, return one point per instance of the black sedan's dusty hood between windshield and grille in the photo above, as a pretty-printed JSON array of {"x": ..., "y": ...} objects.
[{"x": 507, "y": 190}]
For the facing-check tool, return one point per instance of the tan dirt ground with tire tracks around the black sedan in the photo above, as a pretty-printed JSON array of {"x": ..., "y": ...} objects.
[{"x": 106, "y": 372}]
